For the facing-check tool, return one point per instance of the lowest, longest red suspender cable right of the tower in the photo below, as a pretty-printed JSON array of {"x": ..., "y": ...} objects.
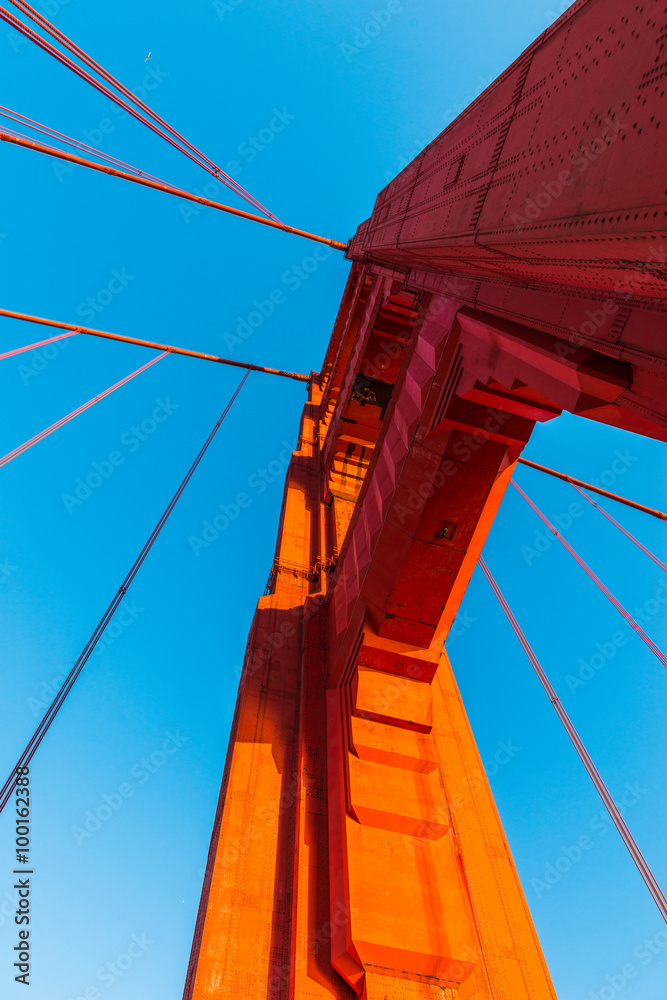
[{"x": 642, "y": 866}]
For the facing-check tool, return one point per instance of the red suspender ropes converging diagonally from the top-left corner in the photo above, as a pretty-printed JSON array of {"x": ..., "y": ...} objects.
[{"x": 178, "y": 143}]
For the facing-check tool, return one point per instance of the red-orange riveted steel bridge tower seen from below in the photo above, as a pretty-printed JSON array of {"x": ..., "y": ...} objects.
[{"x": 514, "y": 270}]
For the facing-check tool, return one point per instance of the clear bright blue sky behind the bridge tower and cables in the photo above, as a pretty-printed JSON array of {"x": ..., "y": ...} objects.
[{"x": 346, "y": 122}]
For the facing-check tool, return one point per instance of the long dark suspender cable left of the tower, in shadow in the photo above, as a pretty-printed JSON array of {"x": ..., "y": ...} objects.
[{"x": 56, "y": 705}]
